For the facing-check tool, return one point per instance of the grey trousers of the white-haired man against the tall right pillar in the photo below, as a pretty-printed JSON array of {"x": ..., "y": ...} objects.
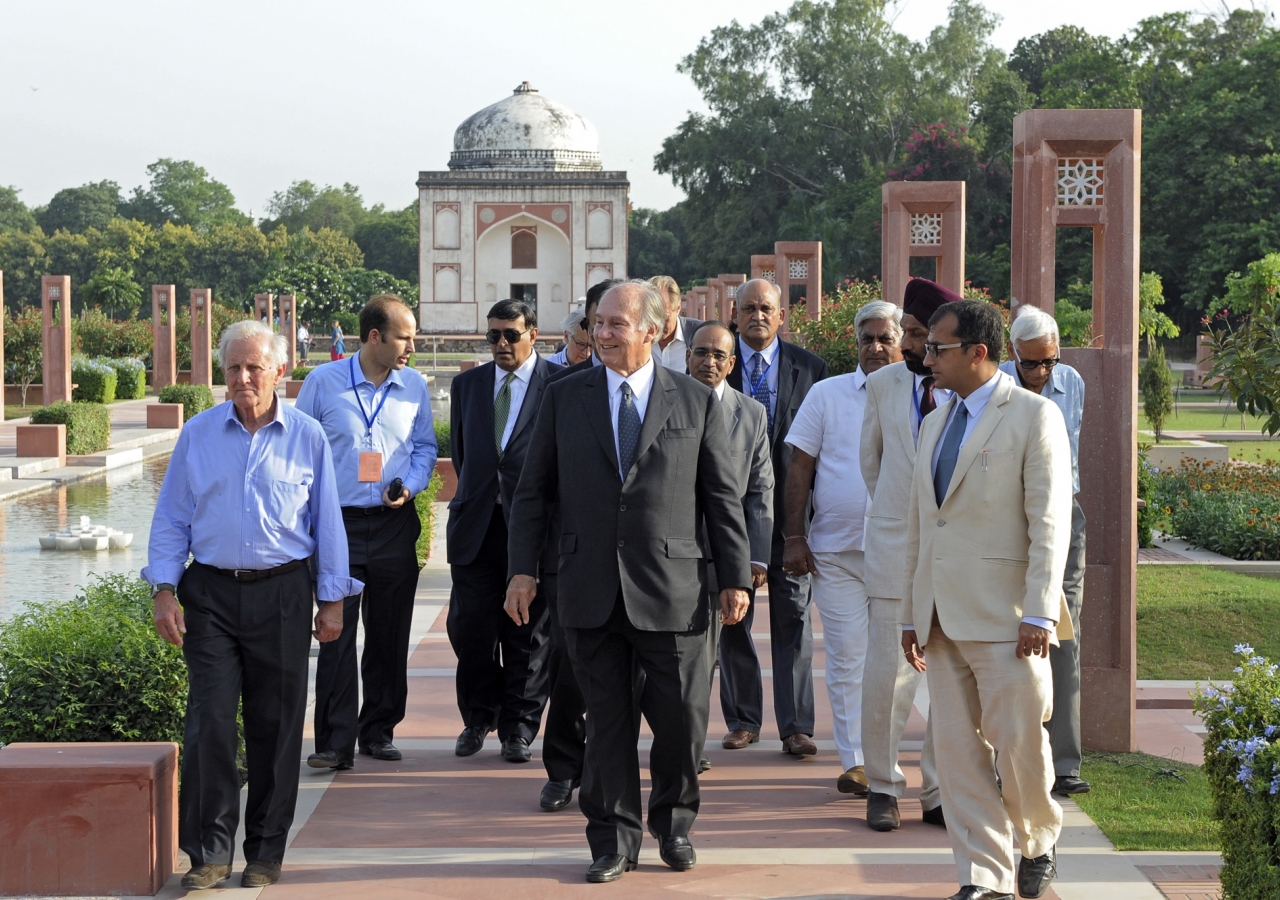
[{"x": 1064, "y": 728}]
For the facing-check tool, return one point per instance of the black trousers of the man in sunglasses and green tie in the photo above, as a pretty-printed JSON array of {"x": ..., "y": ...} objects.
[{"x": 502, "y": 666}]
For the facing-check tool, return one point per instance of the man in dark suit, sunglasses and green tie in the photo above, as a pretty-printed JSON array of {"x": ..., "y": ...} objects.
[{"x": 502, "y": 666}]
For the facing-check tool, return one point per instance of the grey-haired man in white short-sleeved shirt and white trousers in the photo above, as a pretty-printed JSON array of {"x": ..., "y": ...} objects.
[{"x": 826, "y": 460}]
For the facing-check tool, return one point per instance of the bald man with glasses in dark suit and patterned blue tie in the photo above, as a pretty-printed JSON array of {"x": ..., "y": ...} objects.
[{"x": 779, "y": 376}]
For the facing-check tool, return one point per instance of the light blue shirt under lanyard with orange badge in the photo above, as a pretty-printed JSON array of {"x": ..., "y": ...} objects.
[{"x": 403, "y": 432}]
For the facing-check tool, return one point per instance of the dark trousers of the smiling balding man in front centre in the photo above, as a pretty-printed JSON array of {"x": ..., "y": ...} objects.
[{"x": 675, "y": 700}]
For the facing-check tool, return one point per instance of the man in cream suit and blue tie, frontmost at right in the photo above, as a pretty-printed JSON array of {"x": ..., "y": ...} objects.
[{"x": 989, "y": 529}]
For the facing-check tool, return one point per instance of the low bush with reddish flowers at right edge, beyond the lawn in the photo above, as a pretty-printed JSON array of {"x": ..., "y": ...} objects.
[{"x": 1229, "y": 509}]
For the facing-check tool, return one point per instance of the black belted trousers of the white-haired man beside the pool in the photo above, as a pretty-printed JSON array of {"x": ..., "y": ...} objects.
[{"x": 246, "y": 646}]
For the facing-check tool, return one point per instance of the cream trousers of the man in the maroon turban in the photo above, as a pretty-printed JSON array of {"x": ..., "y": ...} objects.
[{"x": 889, "y": 692}]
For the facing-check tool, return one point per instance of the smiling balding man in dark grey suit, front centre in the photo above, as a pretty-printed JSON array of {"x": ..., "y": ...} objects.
[{"x": 637, "y": 459}]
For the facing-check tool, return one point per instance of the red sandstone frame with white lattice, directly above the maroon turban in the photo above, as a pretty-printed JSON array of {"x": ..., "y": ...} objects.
[{"x": 922, "y": 220}]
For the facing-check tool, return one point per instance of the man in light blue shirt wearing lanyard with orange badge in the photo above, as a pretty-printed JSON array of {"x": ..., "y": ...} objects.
[{"x": 377, "y": 413}]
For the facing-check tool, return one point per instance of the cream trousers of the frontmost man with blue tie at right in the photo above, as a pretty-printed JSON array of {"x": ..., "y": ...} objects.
[{"x": 988, "y": 703}]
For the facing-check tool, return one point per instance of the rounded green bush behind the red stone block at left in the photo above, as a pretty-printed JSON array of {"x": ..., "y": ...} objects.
[{"x": 92, "y": 670}]
